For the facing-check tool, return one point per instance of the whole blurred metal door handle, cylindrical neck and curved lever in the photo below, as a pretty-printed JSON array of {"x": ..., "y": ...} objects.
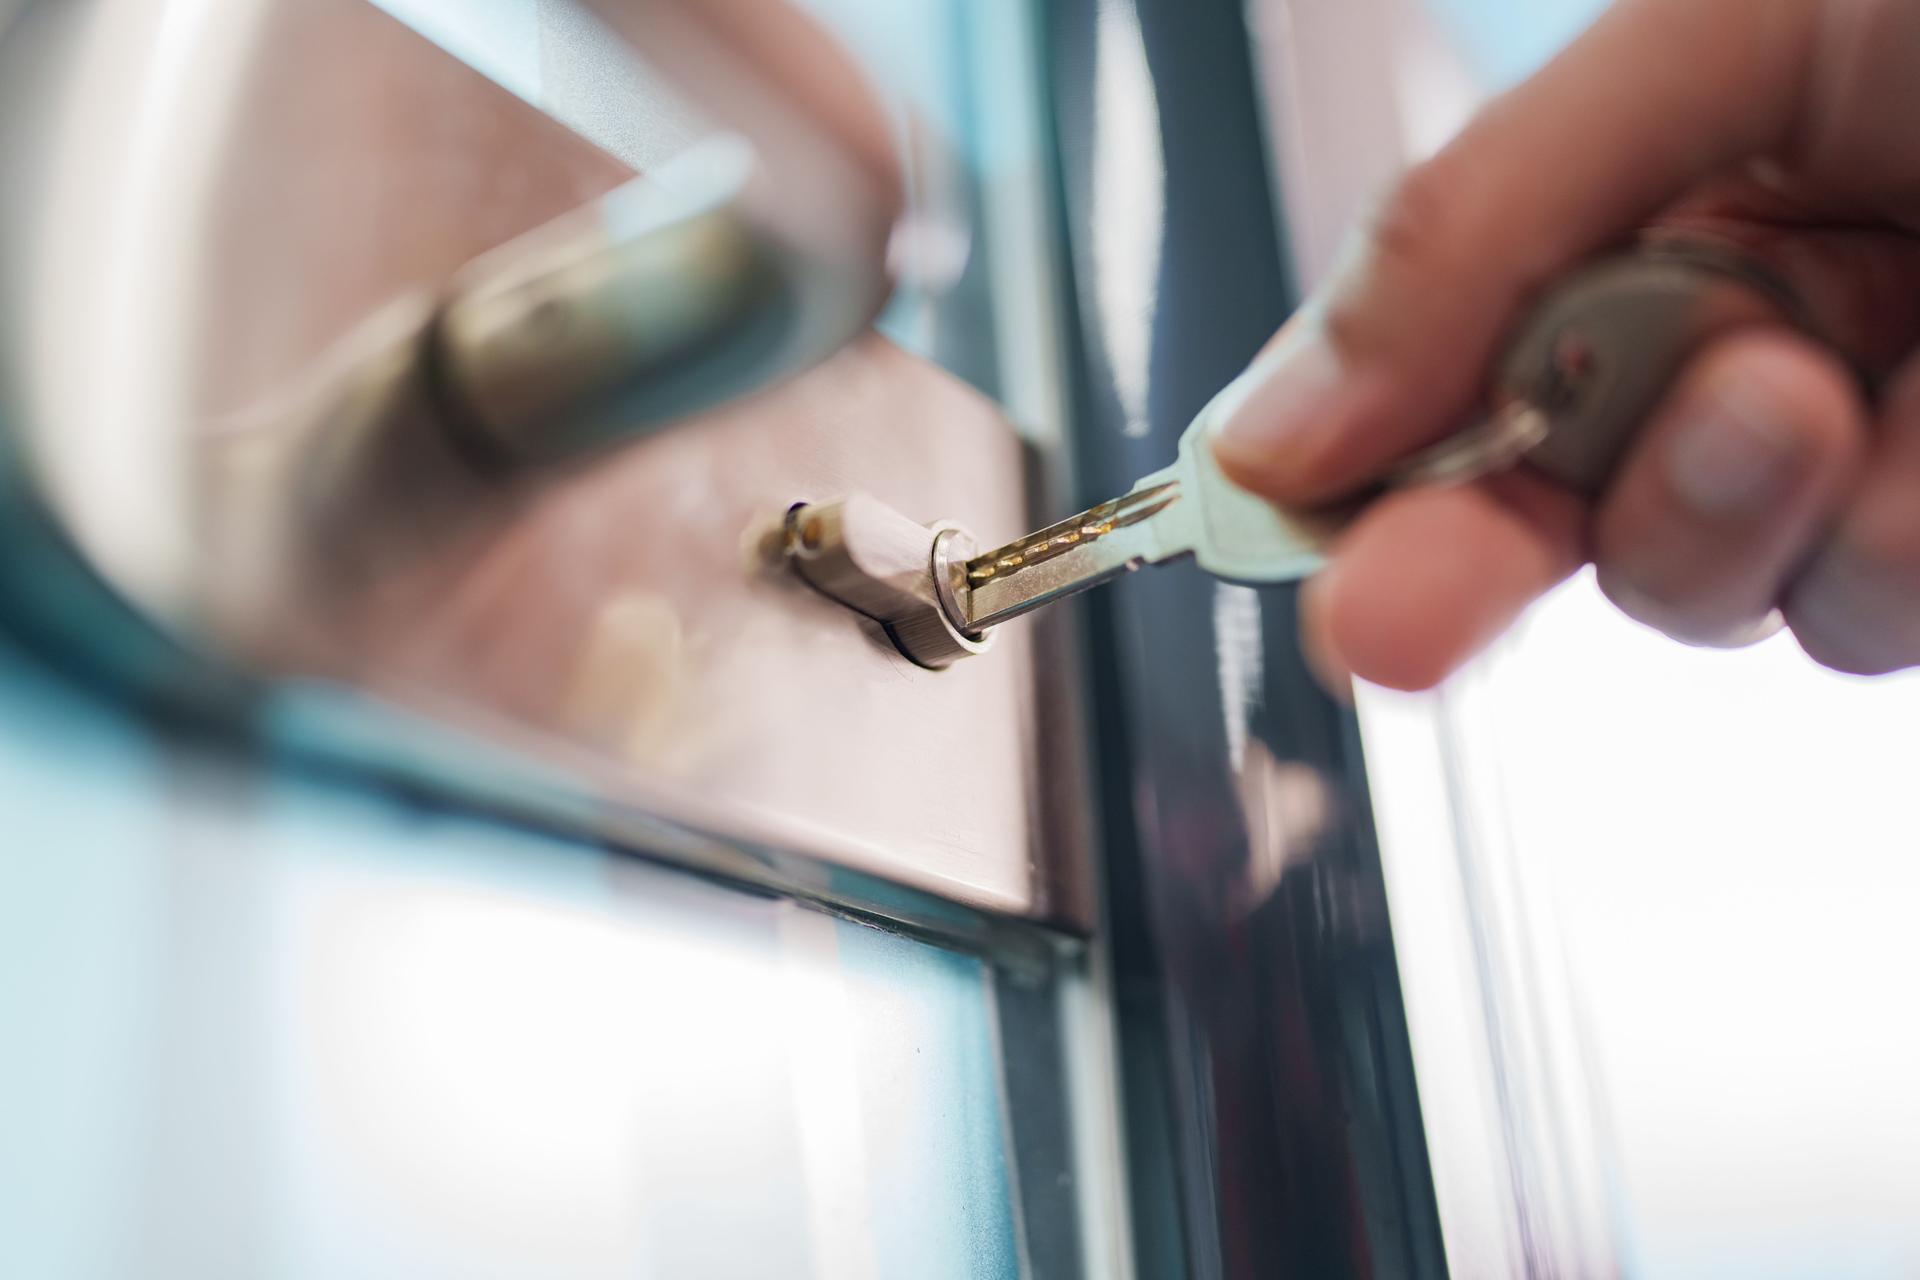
[{"x": 736, "y": 266}]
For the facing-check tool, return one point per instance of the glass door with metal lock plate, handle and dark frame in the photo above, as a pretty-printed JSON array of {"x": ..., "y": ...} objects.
[{"x": 437, "y": 857}]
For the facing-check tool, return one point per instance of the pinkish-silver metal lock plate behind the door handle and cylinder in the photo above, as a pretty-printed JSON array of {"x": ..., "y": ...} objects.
[{"x": 251, "y": 233}]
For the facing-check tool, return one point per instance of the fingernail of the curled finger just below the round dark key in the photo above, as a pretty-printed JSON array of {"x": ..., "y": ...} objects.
[{"x": 1739, "y": 456}]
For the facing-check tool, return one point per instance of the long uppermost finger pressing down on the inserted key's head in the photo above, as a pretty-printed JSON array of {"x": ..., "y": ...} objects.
[{"x": 1393, "y": 352}]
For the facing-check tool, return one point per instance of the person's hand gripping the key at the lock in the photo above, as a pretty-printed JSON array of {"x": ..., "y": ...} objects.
[{"x": 1764, "y": 488}]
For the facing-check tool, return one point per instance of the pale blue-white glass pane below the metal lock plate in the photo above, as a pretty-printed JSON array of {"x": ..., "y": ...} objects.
[{"x": 260, "y": 1026}]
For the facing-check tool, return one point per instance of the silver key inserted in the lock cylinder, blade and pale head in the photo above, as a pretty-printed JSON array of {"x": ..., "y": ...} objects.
[{"x": 1186, "y": 510}]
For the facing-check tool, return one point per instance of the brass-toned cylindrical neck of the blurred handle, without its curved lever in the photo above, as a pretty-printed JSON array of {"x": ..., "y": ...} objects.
[{"x": 656, "y": 302}]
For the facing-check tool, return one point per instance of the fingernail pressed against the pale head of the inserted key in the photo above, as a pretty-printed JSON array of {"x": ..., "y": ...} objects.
[{"x": 1284, "y": 406}]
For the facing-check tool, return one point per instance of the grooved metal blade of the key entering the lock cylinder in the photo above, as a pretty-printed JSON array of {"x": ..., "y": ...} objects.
[{"x": 1082, "y": 552}]
